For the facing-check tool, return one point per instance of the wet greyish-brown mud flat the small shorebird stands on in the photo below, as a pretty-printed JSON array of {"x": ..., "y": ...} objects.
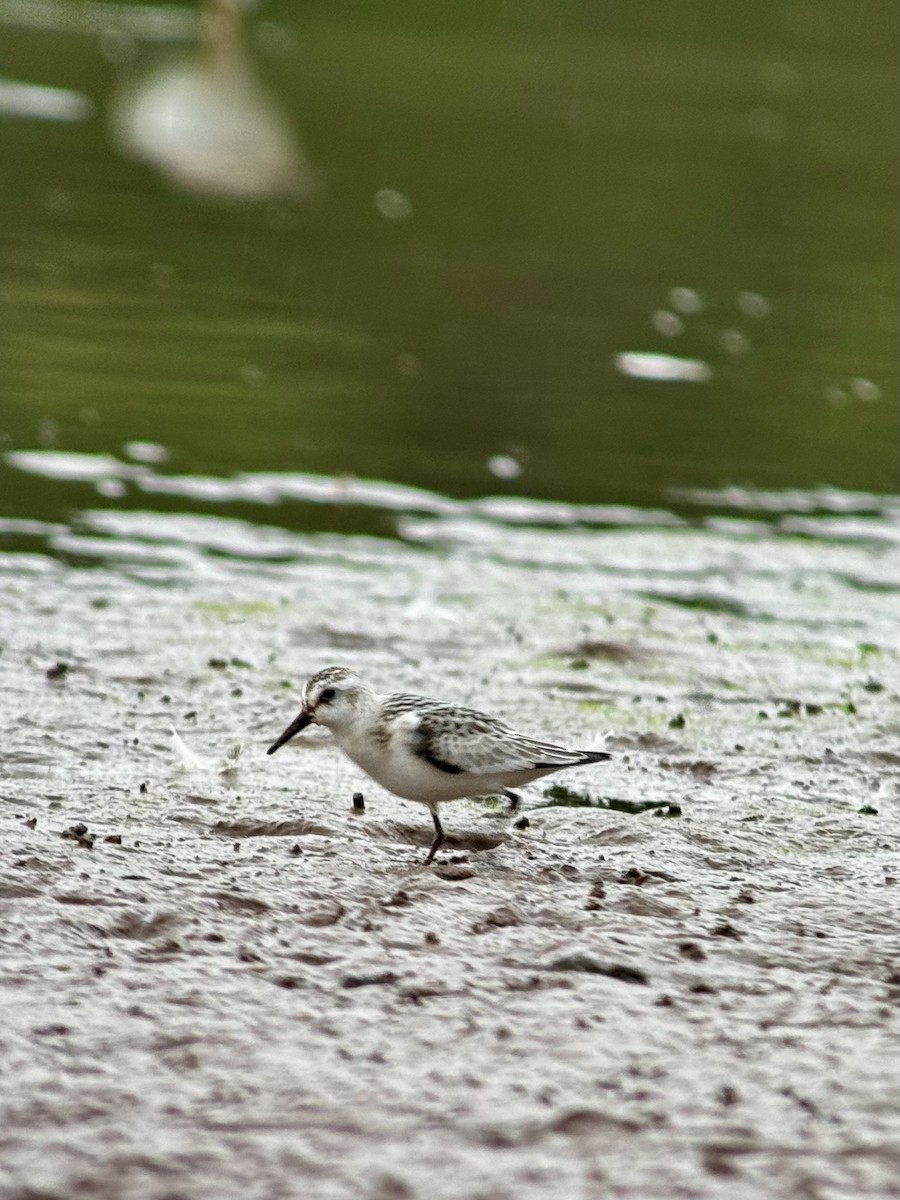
[{"x": 218, "y": 980}]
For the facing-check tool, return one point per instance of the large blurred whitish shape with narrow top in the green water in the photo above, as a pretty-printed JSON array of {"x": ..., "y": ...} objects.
[{"x": 208, "y": 125}]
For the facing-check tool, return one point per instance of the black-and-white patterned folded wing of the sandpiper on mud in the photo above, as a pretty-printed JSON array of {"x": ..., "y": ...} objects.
[{"x": 465, "y": 741}]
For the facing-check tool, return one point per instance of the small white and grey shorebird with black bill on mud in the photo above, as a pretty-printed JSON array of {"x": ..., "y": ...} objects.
[{"x": 427, "y": 751}]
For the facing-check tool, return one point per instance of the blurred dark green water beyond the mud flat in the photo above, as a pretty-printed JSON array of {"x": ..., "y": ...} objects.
[{"x": 566, "y": 166}]
